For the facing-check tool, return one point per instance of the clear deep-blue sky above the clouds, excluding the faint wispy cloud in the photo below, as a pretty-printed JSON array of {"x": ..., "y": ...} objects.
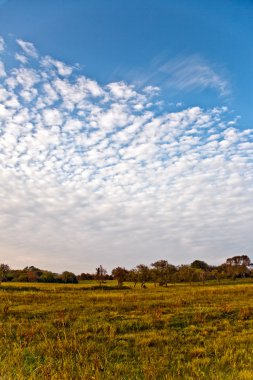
[{"x": 115, "y": 40}]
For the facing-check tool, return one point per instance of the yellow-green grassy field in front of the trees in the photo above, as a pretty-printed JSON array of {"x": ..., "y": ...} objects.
[{"x": 77, "y": 332}]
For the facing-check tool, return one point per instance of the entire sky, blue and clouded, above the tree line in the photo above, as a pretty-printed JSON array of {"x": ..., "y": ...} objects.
[{"x": 126, "y": 132}]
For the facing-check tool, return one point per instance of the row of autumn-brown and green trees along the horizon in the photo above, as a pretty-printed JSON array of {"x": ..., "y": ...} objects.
[{"x": 161, "y": 273}]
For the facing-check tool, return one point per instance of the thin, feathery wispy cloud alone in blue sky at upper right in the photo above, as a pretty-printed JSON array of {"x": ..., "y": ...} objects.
[{"x": 182, "y": 74}]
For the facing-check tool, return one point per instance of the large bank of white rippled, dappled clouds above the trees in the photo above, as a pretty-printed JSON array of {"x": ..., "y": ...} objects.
[{"x": 93, "y": 174}]
